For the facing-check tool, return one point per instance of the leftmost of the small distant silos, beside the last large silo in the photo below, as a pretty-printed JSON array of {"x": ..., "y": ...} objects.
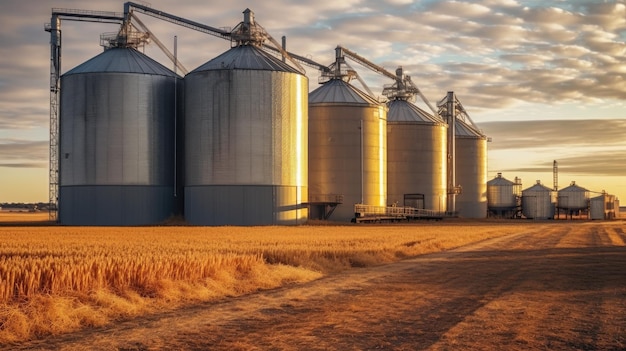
[{"x": 503, "y": 197}]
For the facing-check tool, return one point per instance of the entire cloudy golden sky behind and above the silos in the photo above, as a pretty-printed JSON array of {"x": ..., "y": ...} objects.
[{"x": 544, "y": 79}]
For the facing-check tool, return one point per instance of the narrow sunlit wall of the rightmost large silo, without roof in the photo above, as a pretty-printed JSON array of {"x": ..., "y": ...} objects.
[{"x": 471, "y": 174}]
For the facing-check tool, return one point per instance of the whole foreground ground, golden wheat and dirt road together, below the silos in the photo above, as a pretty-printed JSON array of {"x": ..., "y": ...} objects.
[{"x": 444, "y": 285}]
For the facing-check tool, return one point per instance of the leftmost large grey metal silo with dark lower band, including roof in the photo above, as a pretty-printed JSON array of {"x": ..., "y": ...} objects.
[{"x": 117, "y": 148}]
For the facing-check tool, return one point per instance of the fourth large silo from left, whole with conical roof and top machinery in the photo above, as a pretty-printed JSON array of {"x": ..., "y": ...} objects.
[{"x": 416, "y": 149}]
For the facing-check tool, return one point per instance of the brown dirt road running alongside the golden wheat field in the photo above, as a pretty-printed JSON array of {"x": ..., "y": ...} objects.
[{"x": 561, "y": 286}]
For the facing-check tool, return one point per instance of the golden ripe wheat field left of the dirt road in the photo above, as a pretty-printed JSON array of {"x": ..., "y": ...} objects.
[{"x": 59, "y": 279}]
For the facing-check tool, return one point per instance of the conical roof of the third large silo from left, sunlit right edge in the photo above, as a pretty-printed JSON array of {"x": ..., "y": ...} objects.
[{"x": 338, "y": 91}]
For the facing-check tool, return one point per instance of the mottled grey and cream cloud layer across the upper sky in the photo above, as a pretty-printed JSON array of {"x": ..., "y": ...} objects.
[{"x": 556, "y": 51}]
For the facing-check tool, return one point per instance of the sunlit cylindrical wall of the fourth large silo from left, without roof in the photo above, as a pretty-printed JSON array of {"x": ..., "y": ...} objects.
[{"x": 417, "y": 163}]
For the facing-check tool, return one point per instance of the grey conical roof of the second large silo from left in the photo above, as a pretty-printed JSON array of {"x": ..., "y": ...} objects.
[{"x": 247, "y": 57}]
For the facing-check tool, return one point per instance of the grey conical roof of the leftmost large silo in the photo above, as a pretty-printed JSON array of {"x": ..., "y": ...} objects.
[{"x": 122, "y": 60}]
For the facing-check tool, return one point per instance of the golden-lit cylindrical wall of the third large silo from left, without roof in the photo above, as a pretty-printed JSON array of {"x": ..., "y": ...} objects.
[{"x": 343, "y": 139}]
